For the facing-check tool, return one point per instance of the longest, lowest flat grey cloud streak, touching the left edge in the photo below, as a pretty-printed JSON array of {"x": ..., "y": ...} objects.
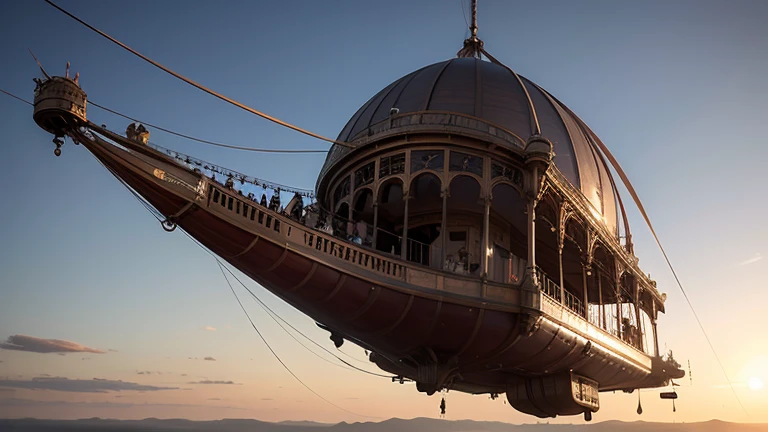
[{"x": 95, "y": 385}]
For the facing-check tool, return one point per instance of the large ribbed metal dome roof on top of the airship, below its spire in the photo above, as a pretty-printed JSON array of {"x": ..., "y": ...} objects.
[{"x": 494, "y": 94}]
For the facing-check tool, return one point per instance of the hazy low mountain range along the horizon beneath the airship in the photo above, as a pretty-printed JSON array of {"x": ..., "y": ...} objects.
[{"x": 391, "y": 425}]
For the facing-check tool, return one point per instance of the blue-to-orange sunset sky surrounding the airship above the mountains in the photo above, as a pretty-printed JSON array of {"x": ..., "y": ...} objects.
[{"x": 676, "y": 89}]
